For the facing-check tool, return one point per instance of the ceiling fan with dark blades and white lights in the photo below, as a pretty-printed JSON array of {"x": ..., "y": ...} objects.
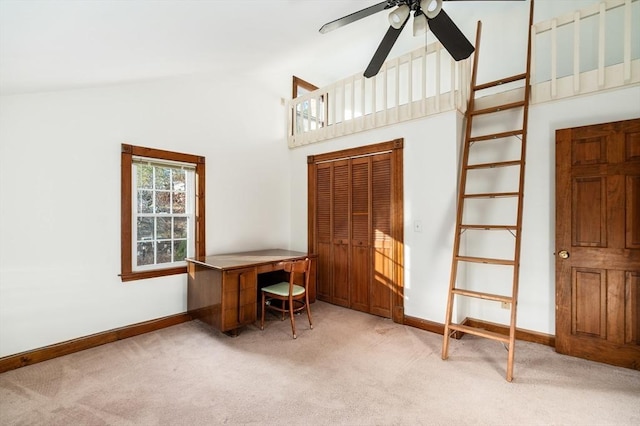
[{"x": 426, "y": 14}]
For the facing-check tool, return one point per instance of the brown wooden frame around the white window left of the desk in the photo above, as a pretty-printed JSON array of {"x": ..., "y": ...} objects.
[{"x": 126, "y": 216}]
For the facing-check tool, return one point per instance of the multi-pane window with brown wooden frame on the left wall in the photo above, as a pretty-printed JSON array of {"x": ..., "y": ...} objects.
[{"x": 162, "y": 219}]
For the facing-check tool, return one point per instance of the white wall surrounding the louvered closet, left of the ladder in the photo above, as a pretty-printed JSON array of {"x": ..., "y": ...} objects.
[{"x": 430, "y": 179}]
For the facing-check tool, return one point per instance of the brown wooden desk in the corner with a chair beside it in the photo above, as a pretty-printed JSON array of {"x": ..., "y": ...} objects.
[{"x": 223, "y": 289}]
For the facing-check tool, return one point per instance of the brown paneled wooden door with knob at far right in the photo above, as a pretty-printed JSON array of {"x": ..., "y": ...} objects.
[{"x": 598, "y": 242}]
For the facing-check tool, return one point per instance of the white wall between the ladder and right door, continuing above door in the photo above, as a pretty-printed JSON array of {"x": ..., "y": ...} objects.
[{"x": 536, "y": 304}]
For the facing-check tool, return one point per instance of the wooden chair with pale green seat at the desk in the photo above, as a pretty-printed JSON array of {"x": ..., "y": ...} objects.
[{"x": 293, "y": 297}]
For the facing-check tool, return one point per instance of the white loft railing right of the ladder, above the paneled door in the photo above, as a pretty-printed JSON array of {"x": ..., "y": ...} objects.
[{"x": 589, "y": 50}]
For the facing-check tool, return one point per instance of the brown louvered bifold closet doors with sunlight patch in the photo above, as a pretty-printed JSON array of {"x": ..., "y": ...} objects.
[{"x": 353, "y": 233}]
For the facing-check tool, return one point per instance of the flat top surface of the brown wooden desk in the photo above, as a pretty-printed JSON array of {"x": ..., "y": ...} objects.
[{"x": 248, "y": 258}]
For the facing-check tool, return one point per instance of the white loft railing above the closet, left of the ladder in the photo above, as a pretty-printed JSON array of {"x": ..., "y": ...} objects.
[{"x": 420, "y": 83}]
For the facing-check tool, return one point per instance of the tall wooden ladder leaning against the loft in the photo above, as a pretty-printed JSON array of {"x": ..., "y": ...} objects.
[{"x": 465, "y": 196}]
